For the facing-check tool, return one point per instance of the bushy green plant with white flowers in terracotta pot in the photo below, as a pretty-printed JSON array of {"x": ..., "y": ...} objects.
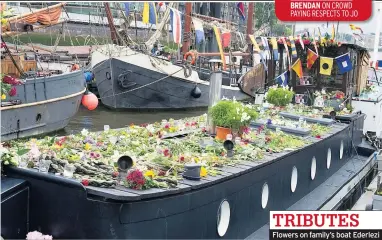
[{"x": 230, "y": 117}]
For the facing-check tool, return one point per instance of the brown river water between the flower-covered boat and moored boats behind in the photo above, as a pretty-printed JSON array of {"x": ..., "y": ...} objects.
[{"x": 96, "y": 119}]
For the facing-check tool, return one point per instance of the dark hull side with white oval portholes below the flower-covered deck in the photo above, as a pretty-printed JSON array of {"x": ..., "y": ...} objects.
[{"x": 66, "y": 209}]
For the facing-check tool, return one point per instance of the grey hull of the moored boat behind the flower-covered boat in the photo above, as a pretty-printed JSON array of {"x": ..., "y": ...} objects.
[{"x": 143, "y": 88}]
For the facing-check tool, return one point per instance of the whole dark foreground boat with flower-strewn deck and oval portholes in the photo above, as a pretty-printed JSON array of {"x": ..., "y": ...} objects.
[{"x": 231, "y": 198}]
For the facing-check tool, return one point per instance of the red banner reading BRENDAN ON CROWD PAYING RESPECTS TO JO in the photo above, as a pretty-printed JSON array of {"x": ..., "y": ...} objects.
[{"x": 323, "y": 10}]
